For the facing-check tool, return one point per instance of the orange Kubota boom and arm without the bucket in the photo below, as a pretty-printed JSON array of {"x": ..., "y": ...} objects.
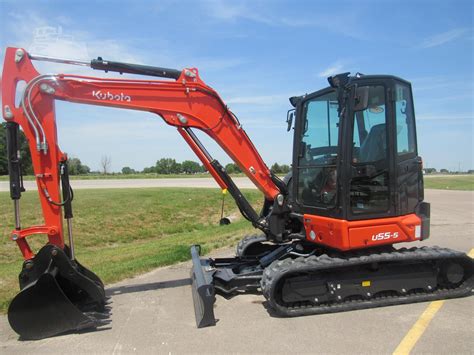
[{"x": 184, "y": 102}]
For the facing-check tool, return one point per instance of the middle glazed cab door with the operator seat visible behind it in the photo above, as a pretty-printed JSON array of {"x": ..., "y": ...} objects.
[{"x": 370, "y": 182}]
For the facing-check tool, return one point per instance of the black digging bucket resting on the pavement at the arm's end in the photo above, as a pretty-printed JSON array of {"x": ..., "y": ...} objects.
[{"x": 58, "y": 295}]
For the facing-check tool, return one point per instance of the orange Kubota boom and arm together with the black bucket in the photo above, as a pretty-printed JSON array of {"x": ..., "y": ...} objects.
[{"x": 52, "y": 281}]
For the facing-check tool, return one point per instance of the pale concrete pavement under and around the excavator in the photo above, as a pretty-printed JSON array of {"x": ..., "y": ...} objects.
[{"x": 153, "y": 313}]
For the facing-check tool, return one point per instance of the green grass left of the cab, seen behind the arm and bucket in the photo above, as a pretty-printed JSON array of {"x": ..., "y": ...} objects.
[{"x": 121, "y": 233}]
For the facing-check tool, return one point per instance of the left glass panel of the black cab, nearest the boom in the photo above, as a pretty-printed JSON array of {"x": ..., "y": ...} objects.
[{"x": 316, "y": 158}]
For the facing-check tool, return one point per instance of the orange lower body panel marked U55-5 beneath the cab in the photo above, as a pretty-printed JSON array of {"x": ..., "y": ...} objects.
[{"x": 346, "y": 235}]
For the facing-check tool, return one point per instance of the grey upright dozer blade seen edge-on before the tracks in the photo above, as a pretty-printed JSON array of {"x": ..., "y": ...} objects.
[{"x": 202, "y": 289}]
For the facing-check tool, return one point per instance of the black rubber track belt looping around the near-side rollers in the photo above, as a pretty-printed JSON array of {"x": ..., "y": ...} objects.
[{"x": 279, "y": 269}]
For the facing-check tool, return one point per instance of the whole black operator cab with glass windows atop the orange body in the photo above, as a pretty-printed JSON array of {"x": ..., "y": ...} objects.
[{"x": 355, "y": 149}]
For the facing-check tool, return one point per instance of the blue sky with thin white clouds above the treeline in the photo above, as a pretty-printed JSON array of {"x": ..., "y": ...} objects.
[{"x": 256, "y": 54}]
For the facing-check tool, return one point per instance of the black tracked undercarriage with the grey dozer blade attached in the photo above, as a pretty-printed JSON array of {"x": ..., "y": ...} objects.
[{"x": 297, "y": 281}]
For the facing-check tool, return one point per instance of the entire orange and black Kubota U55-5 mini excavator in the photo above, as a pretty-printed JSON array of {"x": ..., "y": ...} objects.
[{"x": 328, "y": 230}]
